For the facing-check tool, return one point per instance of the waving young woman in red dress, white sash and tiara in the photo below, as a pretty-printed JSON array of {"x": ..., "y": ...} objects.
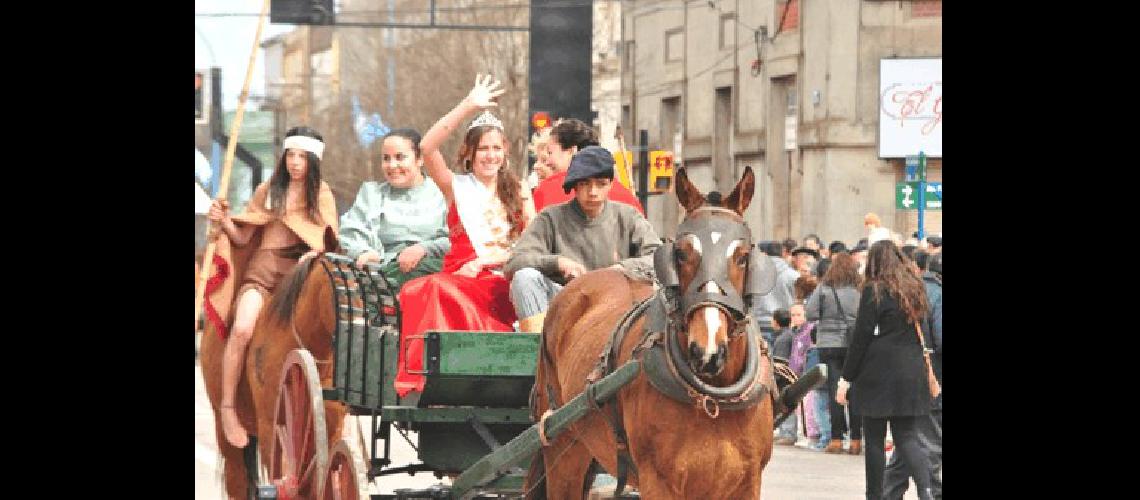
[{"x": 488, "y": 209}]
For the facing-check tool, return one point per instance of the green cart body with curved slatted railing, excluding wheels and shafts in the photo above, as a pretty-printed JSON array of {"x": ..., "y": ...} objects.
[{"x": 470, "y": 406}]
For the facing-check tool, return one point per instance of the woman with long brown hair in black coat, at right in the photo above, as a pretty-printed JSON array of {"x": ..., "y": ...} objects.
[{"x": 885, "y": 371}]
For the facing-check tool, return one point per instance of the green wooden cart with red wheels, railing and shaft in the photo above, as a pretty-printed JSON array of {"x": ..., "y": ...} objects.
[{"x": 473, "y": 416}]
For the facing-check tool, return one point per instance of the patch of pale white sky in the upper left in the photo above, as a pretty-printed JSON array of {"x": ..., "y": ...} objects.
[{"x": 231, "y": 40}]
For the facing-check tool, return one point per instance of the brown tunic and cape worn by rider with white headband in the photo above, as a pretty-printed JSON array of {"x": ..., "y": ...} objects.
[{"x": 271, "y": 253}]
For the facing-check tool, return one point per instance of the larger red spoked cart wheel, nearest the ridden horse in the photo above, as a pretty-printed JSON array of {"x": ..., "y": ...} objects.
[{"x": 299, "y": 454}]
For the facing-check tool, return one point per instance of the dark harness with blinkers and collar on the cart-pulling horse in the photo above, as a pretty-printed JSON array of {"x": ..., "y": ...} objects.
[{"x": 662, "y": 356}]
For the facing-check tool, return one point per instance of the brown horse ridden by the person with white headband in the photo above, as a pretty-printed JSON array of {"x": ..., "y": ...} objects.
[{"x": 300, "y": 310}]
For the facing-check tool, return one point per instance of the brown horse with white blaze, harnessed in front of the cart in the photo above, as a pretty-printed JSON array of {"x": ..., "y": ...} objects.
[{"x": 680, "y": 452}]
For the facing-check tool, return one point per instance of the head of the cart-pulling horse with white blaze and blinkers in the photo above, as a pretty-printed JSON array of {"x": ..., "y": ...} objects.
[{"x": 709, "y": 271}]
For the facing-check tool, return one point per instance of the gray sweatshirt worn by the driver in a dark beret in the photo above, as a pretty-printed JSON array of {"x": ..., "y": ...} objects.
[{"x": 618, "y": 236}]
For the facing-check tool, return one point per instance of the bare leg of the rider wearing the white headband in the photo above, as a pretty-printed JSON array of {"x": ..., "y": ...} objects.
[{"x": 249, "y": 307}]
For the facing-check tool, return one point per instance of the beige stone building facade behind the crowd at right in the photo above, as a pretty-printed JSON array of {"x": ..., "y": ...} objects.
[{"x": 789, "y": 88}]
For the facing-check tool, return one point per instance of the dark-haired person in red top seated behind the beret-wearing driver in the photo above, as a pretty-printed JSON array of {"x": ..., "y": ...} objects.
[{"x": 567, "y": 138}]
